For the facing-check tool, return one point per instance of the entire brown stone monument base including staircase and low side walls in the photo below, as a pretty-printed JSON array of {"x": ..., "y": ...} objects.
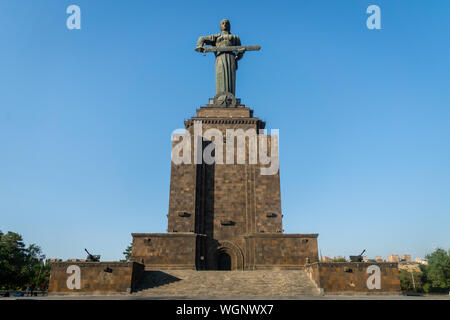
[{"x": 223, "y": 216}]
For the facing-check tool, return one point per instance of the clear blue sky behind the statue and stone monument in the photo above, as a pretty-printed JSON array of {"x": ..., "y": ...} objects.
[{"x": 86, "y": 117}]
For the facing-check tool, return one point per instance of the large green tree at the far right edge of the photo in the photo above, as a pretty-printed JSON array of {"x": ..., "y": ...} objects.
[{"x": 436, "y": 275}]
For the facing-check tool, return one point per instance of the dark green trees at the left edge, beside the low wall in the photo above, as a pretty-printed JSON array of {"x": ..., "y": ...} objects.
[{"x": 20, "y": 265}]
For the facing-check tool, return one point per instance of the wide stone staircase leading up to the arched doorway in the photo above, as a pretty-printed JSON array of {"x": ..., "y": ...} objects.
[{"x": 191, "y": 283}]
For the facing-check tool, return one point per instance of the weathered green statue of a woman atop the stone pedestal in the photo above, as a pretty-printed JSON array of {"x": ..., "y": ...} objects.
[{"x": 226, "y": 62}]
